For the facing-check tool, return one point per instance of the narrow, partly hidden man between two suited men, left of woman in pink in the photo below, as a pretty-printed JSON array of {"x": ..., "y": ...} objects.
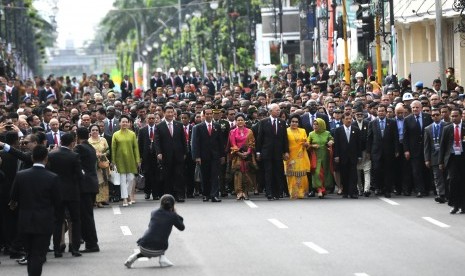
[{"x": 189, "y": 164}]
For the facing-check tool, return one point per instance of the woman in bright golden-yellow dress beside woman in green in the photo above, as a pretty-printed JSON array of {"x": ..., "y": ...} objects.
[{"x": 298, "y": 165}]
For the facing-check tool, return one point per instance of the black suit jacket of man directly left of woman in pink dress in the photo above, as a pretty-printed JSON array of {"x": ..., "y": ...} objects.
[{"x": 208, "y": 147}]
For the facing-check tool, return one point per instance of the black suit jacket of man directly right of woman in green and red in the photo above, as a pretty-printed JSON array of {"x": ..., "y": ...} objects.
[{"x": 348, "y": 153}]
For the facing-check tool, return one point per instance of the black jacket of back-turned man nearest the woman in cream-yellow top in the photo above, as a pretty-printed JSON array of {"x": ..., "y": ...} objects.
[{"x": 88, "y": 157}]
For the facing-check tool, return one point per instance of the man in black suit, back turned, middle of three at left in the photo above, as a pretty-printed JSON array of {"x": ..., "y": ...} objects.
[{"x": 67, "y": 165}]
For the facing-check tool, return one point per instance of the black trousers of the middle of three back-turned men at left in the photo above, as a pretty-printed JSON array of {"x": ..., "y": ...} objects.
[{"x": 74, "y": 209}]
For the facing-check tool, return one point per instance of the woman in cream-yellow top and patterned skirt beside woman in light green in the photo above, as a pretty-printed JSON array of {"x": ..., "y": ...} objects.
[{"x": 103, "y": 150}]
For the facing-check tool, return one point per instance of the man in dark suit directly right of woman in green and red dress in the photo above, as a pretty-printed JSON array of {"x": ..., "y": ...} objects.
[{"x": 347, "y": 153}]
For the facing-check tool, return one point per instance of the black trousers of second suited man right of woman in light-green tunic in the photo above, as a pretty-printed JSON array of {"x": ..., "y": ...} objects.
[{"x": 173, "y": 178}]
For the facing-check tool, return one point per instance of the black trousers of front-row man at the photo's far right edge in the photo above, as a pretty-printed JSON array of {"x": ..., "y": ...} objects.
[{"x": 456, "y": 176}]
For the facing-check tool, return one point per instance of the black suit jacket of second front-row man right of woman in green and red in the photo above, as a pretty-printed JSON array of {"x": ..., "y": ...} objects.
[{"x": 386, "y": 146}]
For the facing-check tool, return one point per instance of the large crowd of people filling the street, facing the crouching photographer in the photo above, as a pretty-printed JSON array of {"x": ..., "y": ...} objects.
[{"x": 296, "y": 134}]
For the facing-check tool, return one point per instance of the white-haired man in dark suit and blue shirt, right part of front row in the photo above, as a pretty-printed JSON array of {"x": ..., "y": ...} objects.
[{"x": 413, "y": 142}]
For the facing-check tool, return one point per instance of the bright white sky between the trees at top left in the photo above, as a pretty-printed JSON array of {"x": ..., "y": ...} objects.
[{"x": 76, "y": 20}]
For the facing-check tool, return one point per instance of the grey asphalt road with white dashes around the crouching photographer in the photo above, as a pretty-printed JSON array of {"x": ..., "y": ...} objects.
[{"x": 334, "y": 236}]
